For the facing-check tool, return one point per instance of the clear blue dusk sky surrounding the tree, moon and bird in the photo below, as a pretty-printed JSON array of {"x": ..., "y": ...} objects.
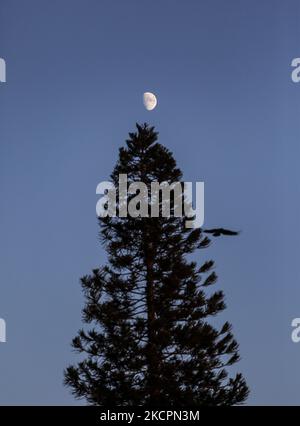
[{"x": 229, "y": 111}]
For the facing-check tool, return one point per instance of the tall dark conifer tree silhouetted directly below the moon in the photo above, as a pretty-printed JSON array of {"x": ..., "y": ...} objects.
[{"x": 150, "y": 342}]
